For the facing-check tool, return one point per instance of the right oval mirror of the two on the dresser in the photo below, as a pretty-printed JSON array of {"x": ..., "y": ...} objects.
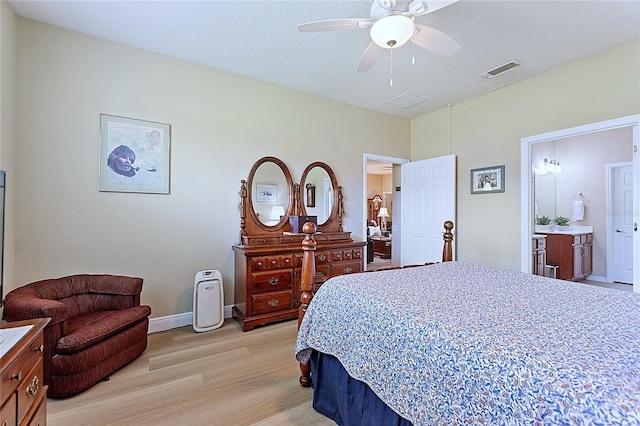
[{"x": 319, "y": 196}]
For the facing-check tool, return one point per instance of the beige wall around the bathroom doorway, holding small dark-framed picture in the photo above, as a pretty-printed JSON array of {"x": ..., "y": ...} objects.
[{"x": 487, "y": 130}]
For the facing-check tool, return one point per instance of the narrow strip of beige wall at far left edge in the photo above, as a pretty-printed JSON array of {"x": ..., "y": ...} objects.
[{"x": 8, "y": 75}]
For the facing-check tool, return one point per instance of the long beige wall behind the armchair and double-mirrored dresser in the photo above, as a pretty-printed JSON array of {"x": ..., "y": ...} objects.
[{"x": 221, "y": 124}]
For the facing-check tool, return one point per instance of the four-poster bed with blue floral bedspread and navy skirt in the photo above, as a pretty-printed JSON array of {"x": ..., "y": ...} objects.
[{"x": 461, "y": 343}]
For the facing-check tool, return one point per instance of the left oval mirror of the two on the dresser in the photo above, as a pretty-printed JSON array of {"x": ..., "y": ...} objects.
[{"x": 270, "y": 192}]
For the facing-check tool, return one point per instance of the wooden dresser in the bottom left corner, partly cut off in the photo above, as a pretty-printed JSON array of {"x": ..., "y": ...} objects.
[{"x": 24, "y": 395}]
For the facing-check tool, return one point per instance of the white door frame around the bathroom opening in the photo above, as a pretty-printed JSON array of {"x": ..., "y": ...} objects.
[{"x": 527, "y": 202}]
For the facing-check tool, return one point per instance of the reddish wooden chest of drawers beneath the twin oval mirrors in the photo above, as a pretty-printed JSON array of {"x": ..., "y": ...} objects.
[{"x": 267, "y": 277}]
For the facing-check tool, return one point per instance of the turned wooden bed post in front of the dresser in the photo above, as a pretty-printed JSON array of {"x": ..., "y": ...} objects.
[{"x": 306, "y": 286}]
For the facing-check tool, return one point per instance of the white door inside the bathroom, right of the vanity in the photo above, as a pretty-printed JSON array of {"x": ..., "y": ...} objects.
[{"x": 623, "y": 224}]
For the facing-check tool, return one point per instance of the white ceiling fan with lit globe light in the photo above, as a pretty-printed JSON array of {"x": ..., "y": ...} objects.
[{"x": 392, "y": 25}]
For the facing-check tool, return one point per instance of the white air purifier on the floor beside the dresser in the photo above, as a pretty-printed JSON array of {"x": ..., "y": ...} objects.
[{"x": 208, "y": 301}]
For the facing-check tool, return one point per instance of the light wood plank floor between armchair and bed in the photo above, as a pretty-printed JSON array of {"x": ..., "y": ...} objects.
[{"x": 220, "y": 377}]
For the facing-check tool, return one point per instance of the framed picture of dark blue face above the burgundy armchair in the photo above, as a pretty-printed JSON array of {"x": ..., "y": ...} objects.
[{"x": 134, "y": 155}]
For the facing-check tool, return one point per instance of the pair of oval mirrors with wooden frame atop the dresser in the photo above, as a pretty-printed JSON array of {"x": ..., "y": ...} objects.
[{"x": 269, "y": 196}]
